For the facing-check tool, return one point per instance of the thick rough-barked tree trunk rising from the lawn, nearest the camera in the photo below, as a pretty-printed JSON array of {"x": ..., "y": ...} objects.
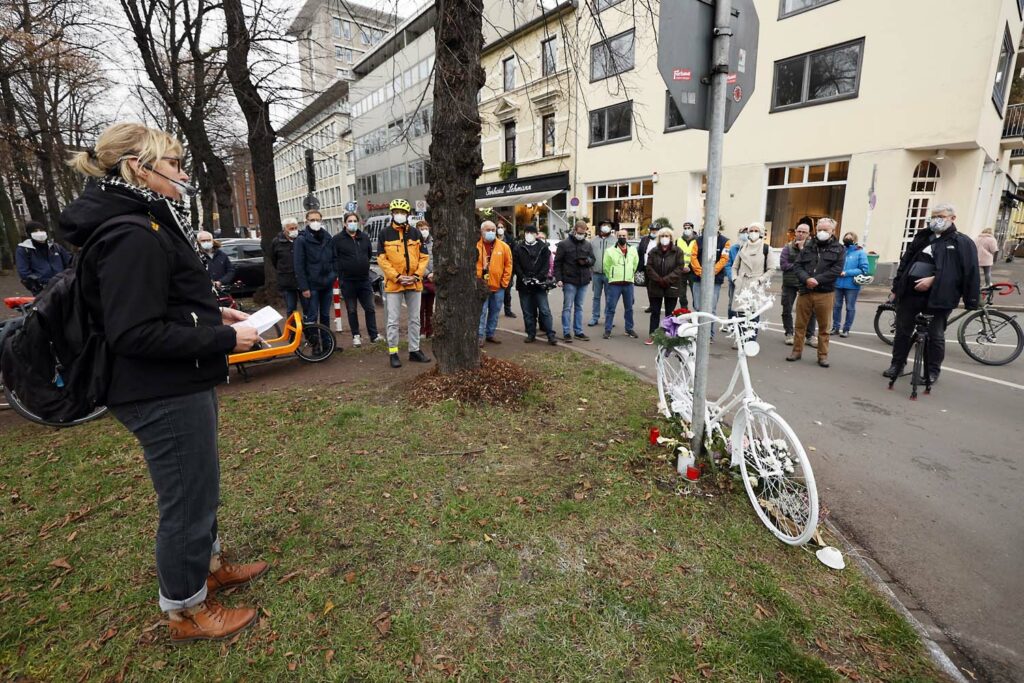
[{"x": 455, "y": 165}]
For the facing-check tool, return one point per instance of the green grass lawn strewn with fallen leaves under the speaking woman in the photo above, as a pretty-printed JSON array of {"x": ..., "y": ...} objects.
[{"x": 552, "y": 546}]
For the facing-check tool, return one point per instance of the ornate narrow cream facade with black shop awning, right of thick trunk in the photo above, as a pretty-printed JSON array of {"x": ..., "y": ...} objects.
[{"x": 529, "y": 116}]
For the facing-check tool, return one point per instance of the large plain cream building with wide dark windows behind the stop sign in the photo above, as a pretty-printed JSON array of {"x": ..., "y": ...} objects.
[{"x": 840, "y": 113}]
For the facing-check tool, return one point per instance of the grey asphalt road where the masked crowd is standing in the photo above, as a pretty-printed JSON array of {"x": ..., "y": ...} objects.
[{"x": 931, "y": 490}]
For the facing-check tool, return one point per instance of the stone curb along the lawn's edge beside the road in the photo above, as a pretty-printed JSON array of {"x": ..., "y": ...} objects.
[{"x": 931, "y": 635}]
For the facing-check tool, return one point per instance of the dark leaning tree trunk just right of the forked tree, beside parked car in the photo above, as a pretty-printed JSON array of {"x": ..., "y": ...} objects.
[{"x": 262, "y": 139}]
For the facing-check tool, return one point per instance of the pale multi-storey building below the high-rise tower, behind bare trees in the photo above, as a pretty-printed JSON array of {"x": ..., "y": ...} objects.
[{"x": 323, "y": 127}]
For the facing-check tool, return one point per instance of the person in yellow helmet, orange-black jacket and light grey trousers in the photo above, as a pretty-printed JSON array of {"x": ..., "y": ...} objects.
[{"x": 402, "y": 257}]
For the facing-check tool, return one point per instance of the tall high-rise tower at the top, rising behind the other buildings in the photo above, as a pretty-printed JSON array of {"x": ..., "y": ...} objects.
[{"x": 332, "y": 37}]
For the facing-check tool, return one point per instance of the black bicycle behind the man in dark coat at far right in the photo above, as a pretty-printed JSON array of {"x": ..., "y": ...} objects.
[{"x": 988, "y": 335}]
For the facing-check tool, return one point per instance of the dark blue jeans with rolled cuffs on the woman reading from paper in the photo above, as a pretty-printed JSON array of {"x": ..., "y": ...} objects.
[{"x": 179, "y": 437}]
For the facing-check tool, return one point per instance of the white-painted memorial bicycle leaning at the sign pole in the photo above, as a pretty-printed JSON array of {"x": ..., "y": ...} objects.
[{"x": 775, "y": 467}]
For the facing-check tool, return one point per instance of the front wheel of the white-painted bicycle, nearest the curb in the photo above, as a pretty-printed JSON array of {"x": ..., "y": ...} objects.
[{"x": 779, "y": 478}]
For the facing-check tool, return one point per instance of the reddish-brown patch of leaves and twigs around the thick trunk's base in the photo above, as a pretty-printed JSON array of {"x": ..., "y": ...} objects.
[{"x": 497, "y": 382}]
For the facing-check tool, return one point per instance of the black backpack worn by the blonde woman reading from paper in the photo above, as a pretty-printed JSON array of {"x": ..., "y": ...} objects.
[{"x": 56, "y": 362}]
